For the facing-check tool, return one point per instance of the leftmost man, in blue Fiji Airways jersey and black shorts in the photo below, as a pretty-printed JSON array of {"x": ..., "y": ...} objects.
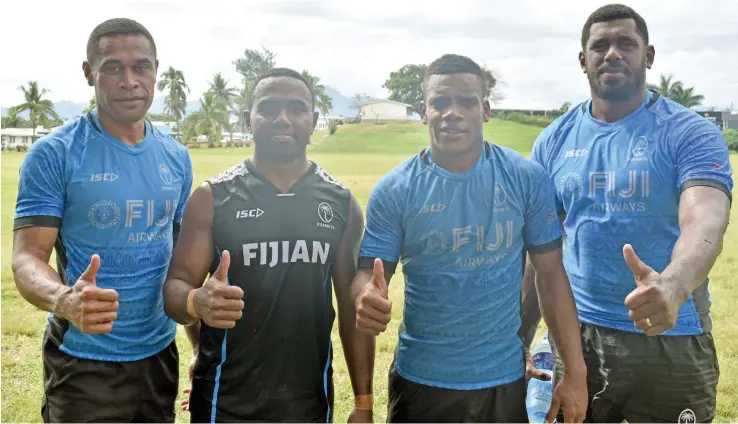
[{"x": 107, "y": 190}]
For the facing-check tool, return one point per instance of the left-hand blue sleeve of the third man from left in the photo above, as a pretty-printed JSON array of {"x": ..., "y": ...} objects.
[{"x": 383, "y": 232}]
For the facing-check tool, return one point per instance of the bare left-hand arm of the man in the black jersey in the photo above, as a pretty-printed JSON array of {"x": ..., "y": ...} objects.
[{"x": 192, "y": 257}]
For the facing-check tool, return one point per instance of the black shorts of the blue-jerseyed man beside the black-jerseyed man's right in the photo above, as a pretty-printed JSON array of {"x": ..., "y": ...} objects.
[{"x": 412, "y": 402}]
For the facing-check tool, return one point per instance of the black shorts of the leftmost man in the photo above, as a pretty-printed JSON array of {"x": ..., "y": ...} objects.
[{"x": 82, "y": 390}]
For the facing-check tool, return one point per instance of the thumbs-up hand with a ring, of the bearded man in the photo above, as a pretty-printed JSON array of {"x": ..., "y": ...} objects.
[{"x": 654, "y": 304}]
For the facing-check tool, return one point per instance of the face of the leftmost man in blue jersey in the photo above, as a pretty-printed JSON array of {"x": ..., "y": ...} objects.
[{"x": 124, "y": 76}]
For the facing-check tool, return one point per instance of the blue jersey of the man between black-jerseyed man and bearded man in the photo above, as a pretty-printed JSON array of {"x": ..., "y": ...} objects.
[{"x": 461, "y": 240}]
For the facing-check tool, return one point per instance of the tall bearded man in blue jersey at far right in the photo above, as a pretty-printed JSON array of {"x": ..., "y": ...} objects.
[{"x": 644, "y": 189}]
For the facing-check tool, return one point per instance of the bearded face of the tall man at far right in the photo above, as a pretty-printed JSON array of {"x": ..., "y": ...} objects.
[{"x": 615, "y": 59}]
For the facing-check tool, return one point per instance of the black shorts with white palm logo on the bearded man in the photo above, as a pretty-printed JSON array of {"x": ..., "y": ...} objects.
[{"x": 634, "y": 377}]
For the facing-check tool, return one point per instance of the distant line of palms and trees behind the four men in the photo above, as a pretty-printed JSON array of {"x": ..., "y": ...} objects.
[{"x": 223, "y": 102}]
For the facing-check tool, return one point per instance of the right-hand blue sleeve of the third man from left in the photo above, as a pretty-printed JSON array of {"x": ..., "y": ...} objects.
[{"x": 542, "y": 229}]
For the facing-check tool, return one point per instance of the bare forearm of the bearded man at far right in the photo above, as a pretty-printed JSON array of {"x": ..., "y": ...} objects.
[{"x": 703, "y": 219}]
